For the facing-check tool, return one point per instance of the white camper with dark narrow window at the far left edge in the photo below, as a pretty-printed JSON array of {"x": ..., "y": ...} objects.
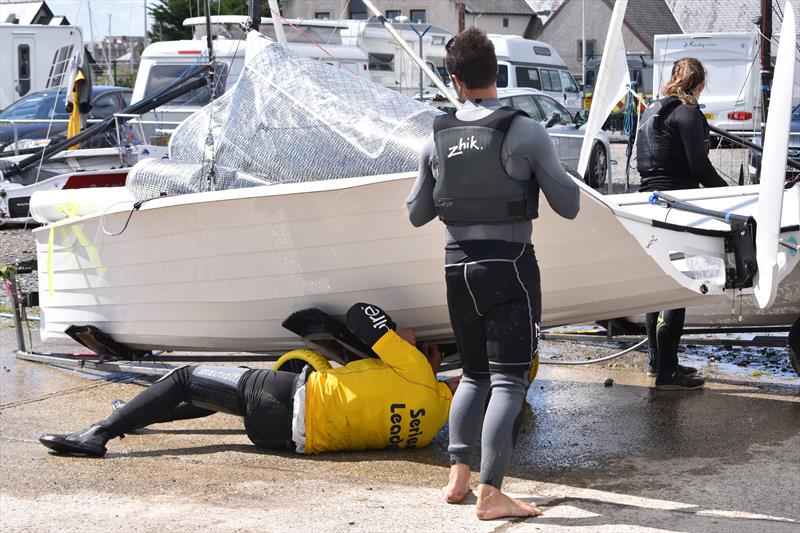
[{"x": 34, "y": 57}]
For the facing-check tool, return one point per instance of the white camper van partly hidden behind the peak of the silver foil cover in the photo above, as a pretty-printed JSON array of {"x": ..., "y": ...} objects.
[{"x": 164, "y": 62}]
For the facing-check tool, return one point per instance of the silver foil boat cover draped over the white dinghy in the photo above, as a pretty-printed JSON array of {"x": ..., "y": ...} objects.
[{"x": 289, "y": 119}]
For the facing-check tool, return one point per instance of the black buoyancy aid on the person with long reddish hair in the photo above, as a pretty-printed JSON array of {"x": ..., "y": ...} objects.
[{"x": 659, "y": 149}]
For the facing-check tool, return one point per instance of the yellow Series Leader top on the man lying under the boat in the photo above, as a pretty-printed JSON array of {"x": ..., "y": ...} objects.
[{"x": 394, "y": 401}]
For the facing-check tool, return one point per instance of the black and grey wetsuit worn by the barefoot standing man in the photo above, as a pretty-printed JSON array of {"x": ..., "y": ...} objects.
[{"x": 493, "y": 286}]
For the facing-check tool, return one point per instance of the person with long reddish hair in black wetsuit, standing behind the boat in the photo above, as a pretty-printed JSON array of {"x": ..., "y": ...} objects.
[{"x": 672, "y": 153}]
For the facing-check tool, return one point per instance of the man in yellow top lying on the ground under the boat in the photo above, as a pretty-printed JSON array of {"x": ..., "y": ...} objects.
[{"x": 391, "y": 402}]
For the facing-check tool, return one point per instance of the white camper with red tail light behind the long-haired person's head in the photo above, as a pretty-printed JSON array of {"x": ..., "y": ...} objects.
[{"x": 731, "y": 96}]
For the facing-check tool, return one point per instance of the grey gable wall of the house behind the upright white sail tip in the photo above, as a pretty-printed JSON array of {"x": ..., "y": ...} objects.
[{"x": 563, "y": 32}]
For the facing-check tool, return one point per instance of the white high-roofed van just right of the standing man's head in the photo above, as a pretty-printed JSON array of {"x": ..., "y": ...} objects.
[{"x": 537, "y": 65}]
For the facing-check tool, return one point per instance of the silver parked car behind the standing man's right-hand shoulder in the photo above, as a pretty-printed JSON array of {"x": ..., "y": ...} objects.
[{"x": 564, "y": 130}]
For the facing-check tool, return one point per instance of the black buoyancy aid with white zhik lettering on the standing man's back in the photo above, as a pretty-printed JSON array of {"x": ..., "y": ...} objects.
[{"x": 472, "y": 186}]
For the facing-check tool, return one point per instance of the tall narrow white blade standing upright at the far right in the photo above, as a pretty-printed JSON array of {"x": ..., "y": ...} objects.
[{"x": 773, "y": 165}]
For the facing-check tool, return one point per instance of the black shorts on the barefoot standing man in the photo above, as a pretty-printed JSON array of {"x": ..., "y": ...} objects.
[{"x": 494, "y": 298}]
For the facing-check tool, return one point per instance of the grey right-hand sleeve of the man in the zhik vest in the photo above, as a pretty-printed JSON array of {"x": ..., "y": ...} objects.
[{"x": 528, "y": 150}]
